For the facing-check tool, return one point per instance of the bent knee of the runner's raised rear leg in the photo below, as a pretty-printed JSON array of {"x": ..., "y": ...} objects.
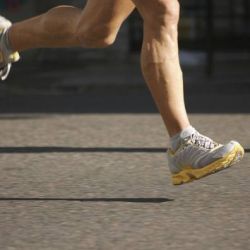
[{"x": 99, "y": 36}]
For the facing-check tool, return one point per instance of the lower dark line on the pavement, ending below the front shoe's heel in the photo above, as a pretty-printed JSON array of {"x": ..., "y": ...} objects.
[{"x": 129, "y": 200}]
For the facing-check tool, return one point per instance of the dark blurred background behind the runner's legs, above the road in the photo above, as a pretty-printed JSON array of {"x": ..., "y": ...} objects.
[{"x": 214, "y": 41}]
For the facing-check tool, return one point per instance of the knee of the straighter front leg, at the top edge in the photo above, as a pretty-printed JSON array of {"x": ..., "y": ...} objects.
[{"x": 162, "y": 13}]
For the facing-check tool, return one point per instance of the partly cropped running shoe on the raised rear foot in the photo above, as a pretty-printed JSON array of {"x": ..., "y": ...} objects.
[{"x": 6, "y": 58}]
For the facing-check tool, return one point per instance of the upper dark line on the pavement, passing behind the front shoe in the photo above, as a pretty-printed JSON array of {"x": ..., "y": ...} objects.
[{"x": 45, "y": 150}]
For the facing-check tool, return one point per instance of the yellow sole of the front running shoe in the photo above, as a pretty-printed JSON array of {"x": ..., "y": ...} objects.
[{"x": 189, "y": 174}]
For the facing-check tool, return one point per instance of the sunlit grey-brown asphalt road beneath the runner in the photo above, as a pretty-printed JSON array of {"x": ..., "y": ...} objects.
[{"x": 101, "y": 182}]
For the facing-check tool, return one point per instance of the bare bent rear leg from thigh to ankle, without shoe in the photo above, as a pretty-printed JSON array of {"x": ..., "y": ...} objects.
[{"x": 66, "y": 26}]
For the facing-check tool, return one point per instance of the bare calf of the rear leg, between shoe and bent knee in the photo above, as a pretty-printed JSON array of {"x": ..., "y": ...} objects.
[{"x": 52, "y": 29}]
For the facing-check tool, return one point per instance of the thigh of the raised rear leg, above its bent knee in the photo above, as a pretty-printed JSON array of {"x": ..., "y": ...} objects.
[{"x": 106, "y": 12}]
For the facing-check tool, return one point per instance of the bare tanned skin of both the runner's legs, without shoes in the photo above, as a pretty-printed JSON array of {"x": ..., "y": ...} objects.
[{"x": 97, "y": 26}]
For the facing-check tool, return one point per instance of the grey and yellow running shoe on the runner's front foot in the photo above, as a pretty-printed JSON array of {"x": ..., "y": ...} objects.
[{"x": 199, "y": 156}]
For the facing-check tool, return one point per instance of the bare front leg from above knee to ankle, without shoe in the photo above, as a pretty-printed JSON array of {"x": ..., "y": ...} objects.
[{"x": 160, "y": 60}]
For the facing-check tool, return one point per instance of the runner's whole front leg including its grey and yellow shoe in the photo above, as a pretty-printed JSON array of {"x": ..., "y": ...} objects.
[{"x": 192, "y": 155}]
